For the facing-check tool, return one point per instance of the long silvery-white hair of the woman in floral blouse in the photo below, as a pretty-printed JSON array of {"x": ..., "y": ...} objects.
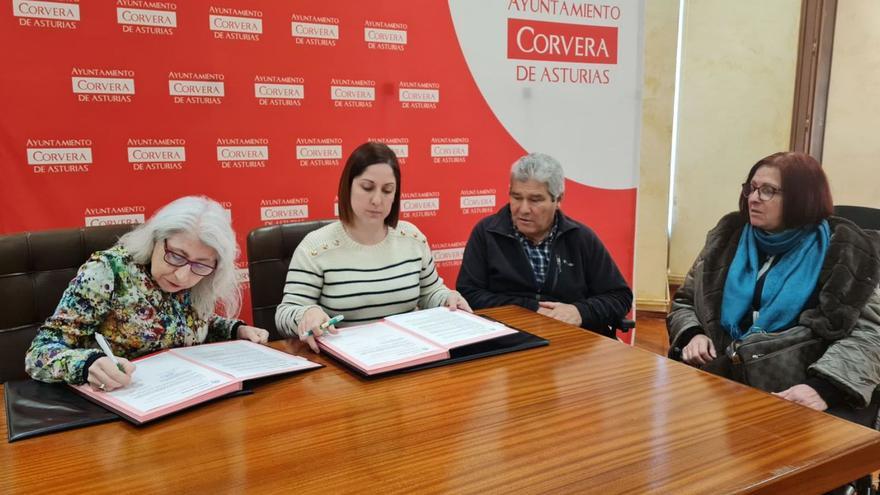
[{"x": 210, "y": 223}]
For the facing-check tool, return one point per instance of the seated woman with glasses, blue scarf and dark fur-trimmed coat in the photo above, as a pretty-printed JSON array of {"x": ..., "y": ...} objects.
[{"x": 784, "y": 266}]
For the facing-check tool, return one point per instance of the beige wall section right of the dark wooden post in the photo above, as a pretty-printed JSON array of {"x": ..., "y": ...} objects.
[{"x": 851, "y": 148}]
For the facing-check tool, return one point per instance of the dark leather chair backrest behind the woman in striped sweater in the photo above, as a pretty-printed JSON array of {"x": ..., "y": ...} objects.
[{"x": 269, "y": 252}]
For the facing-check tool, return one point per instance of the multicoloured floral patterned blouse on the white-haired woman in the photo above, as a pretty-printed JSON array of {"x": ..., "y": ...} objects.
[{"x": 118, "y": 298}]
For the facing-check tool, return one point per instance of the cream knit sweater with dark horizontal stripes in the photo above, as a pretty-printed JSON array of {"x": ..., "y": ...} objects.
[{"x": 364, "y": 283}]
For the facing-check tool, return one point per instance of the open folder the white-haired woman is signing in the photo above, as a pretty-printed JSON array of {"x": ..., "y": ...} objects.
[{"x": 174, "y": 379}]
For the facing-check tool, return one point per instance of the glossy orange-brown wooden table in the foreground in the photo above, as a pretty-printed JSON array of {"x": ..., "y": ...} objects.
[{"x": 585, "y": 414}]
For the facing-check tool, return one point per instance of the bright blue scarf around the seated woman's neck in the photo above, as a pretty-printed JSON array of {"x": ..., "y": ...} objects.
[{"x": 787, "y": 285}]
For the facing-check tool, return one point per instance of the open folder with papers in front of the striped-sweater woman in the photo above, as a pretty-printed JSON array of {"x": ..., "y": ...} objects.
[{"x": 422, "y": 339}]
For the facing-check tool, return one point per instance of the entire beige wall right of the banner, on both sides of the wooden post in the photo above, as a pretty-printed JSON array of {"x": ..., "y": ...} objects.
[{"x": 737, "y": 85}]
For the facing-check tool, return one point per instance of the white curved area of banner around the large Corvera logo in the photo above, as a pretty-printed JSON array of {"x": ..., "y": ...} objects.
[{"x": 591, "y": 127}]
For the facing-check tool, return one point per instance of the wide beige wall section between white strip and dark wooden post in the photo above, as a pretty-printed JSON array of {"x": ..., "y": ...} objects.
[{"x": 737, "y": 88}]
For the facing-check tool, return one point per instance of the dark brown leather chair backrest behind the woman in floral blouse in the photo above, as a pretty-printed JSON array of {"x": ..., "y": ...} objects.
[{"x": 35, "y": 268}]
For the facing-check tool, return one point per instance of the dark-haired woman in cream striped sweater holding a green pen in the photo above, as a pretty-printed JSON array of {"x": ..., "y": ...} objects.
[{"x": 366, "y": 266}]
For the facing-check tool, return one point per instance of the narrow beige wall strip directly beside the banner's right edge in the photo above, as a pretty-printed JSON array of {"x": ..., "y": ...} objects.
[{"x": 661, "y": 31}]
